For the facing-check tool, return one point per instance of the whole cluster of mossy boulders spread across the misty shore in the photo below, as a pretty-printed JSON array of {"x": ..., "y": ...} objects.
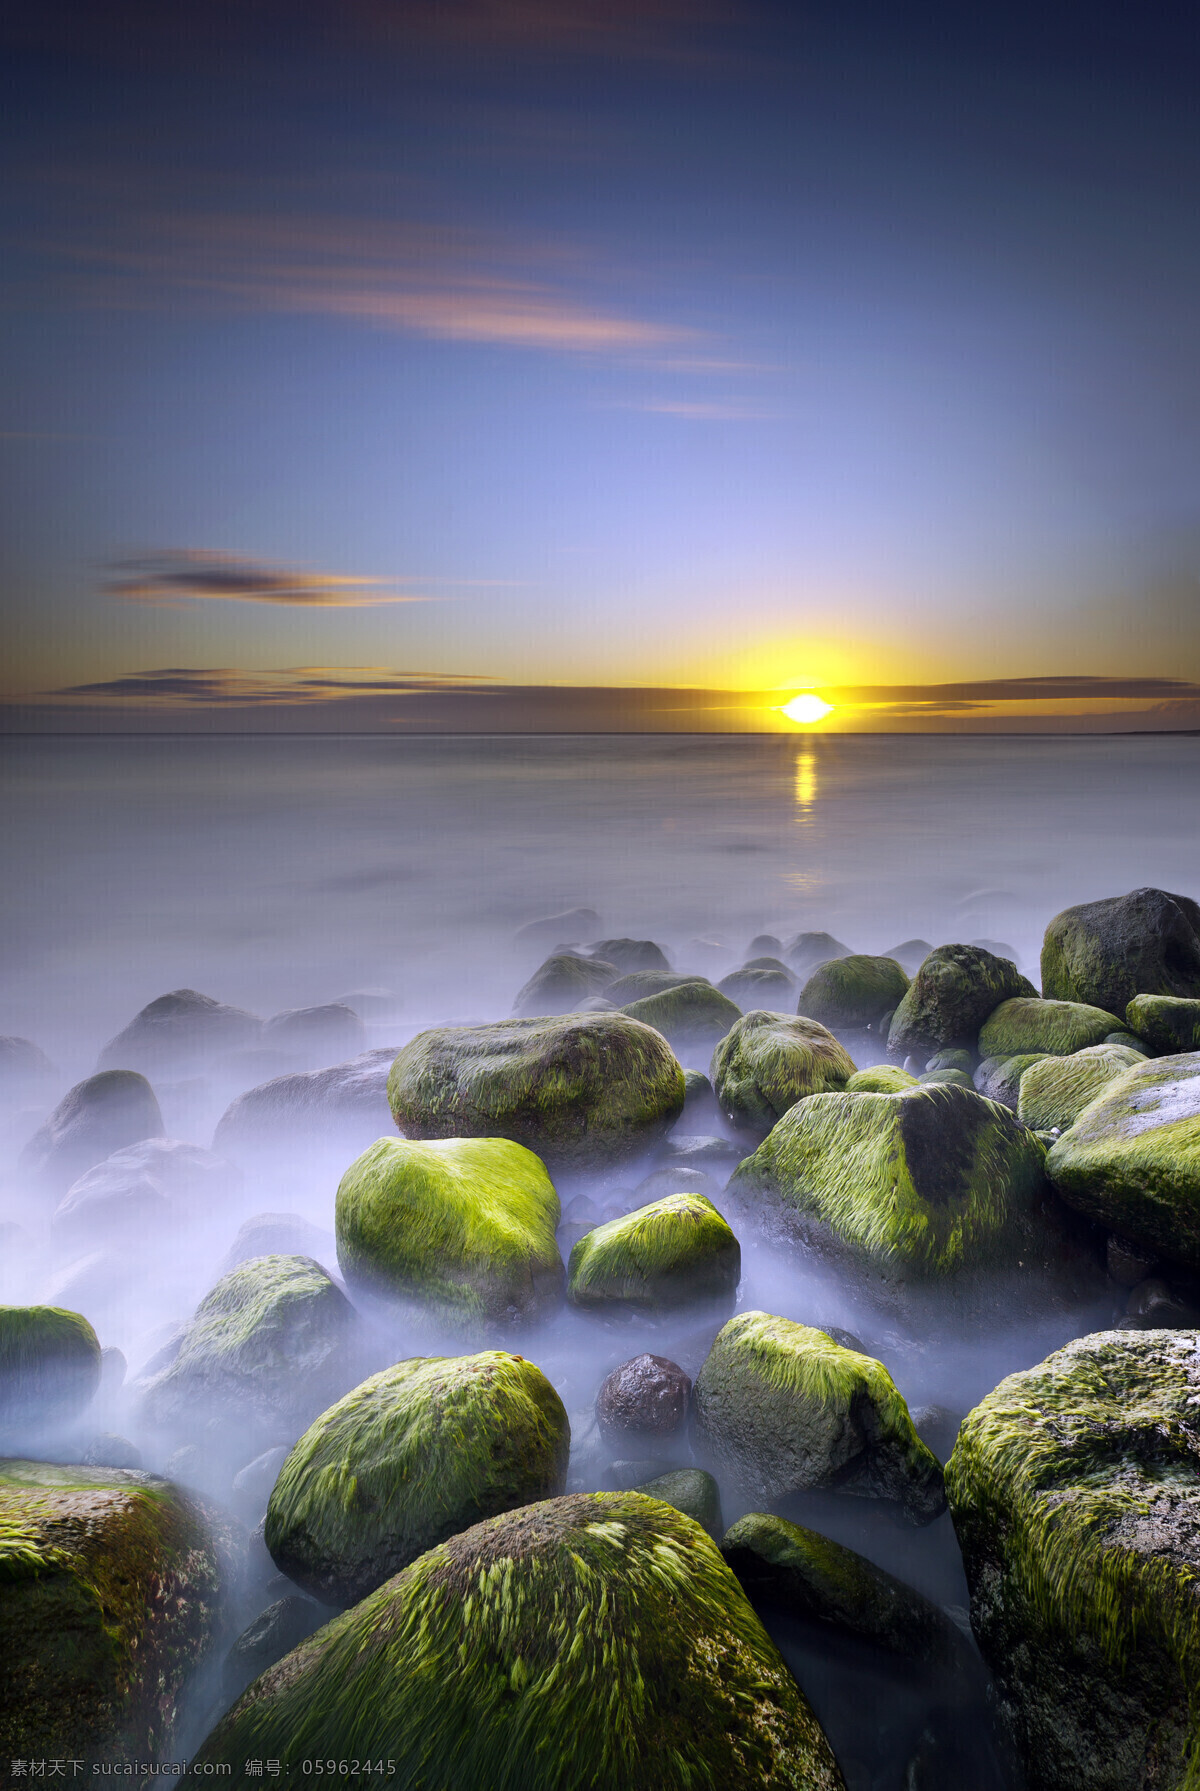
[{"x": 467, "y": 1590}]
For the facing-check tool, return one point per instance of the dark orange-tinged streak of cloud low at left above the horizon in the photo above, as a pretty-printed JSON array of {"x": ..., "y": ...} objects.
[{"x": 182, "y": 574}]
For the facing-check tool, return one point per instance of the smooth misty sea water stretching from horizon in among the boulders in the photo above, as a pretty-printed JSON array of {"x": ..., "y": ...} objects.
[{"x": 393, "y": 875}]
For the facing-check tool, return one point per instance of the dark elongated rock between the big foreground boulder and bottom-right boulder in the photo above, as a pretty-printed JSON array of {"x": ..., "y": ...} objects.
[{"x": 798, "y": 1572}]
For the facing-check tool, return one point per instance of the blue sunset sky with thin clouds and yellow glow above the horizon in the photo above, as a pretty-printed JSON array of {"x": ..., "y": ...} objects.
[{"x": 501, "y": 364}]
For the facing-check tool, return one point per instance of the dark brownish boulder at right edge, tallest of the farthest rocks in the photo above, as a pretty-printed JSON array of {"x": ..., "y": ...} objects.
[{"x": 1110, "y": 952}]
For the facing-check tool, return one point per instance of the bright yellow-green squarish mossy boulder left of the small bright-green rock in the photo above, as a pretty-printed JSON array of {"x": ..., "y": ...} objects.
[{"x": 465, "y": 1226}]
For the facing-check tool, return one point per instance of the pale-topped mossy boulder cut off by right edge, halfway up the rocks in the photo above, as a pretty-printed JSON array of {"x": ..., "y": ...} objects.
[{"x": 1133, "y": 1158}]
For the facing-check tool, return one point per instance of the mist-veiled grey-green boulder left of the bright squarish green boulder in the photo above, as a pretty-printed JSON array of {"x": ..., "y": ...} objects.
[{"x": 268, "y": 1348}]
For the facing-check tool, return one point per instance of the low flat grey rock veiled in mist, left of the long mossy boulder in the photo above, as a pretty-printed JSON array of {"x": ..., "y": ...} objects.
[{"x": 314, "y": 1106}]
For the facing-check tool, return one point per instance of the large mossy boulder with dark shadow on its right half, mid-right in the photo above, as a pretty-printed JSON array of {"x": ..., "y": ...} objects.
[{"x": 925, "y": 1187}]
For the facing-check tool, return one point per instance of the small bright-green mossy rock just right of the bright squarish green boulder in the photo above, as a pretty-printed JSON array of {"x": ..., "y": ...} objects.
[{"x": 673, "y": 1253}]
